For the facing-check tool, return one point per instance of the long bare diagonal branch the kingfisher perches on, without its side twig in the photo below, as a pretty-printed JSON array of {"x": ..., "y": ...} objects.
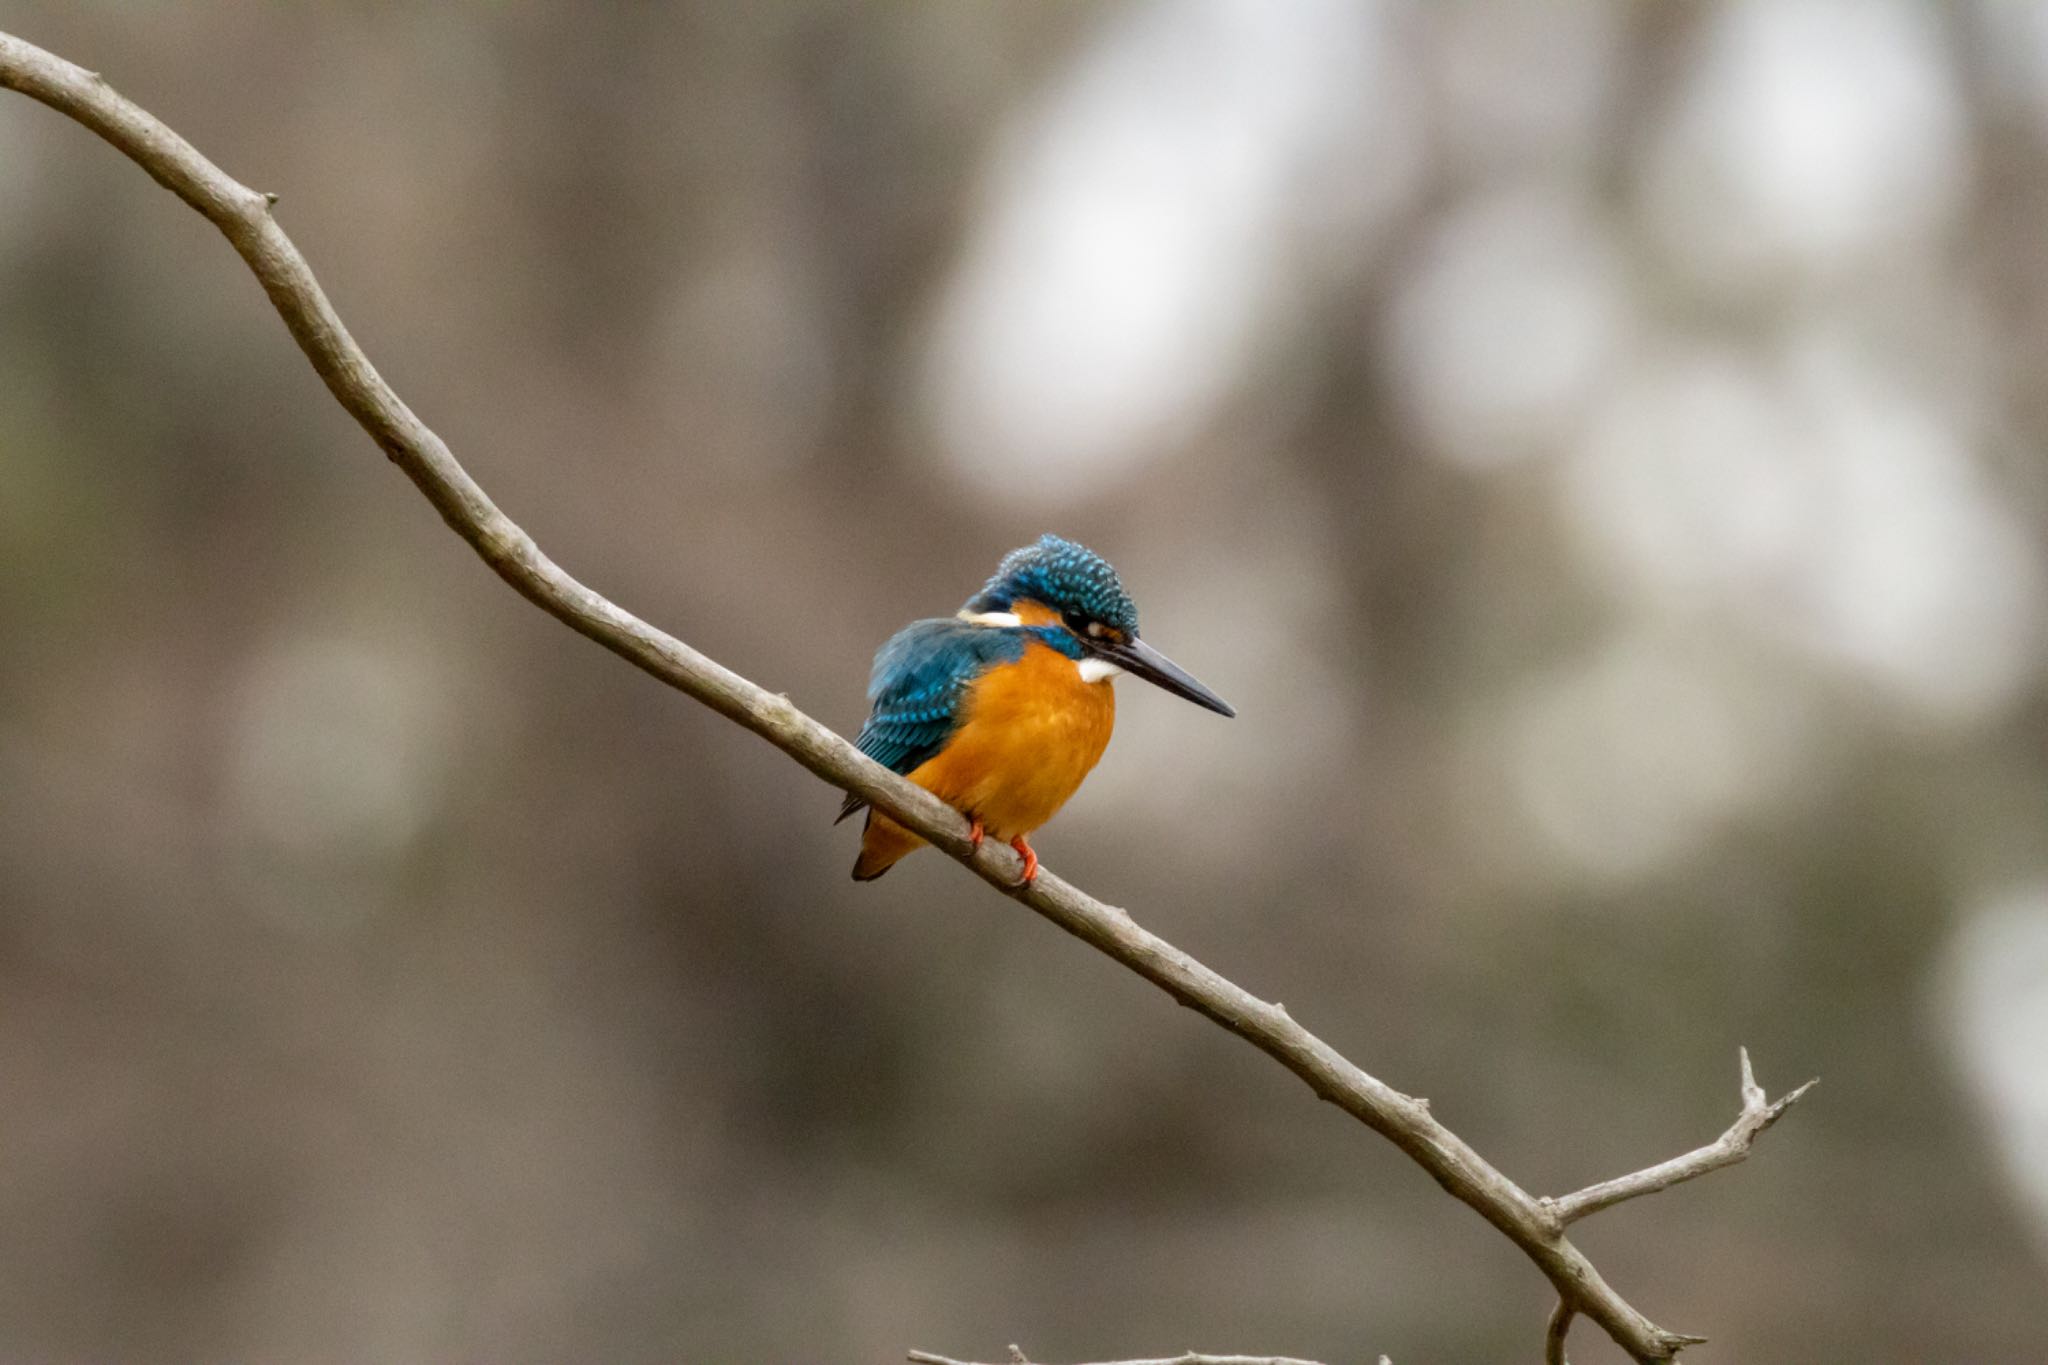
[{"x": 245, "y": 218}]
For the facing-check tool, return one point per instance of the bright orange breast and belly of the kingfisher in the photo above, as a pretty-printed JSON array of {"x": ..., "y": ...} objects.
[{"x": 1031, "y": 732}]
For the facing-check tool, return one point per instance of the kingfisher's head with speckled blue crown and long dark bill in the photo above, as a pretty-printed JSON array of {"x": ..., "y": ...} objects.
[{"x": 1066, "y": 588}]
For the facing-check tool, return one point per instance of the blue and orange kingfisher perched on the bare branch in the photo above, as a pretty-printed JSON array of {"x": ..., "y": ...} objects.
[{"x": 1002, "y": 709}]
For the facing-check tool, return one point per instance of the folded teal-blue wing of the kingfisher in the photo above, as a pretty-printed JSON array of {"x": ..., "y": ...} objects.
[{"x": 921, "y": 685}]
